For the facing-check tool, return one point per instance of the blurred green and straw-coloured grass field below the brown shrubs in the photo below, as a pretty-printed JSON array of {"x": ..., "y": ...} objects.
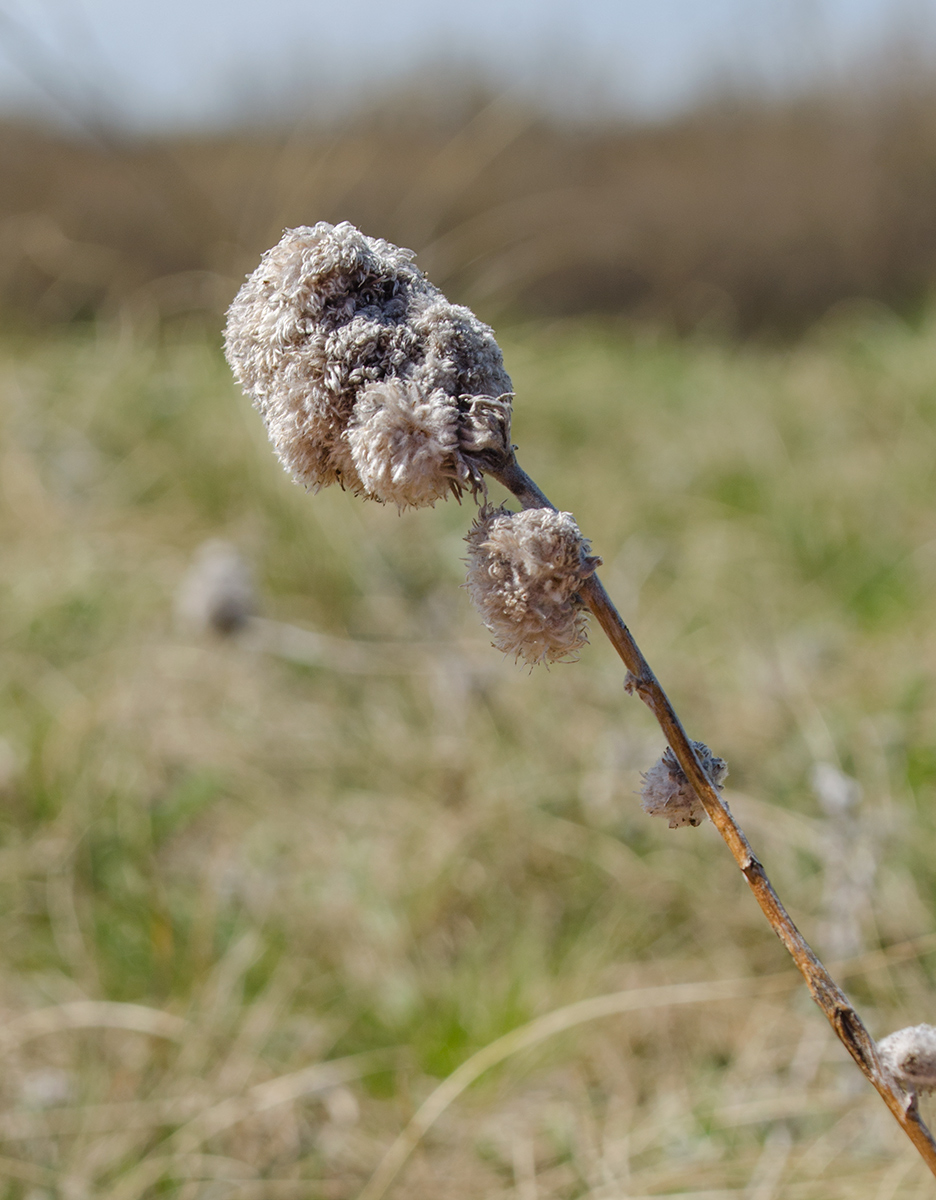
[{"x": 290, "y": 865}]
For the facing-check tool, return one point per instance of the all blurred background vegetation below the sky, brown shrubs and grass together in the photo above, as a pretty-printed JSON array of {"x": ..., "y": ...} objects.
[{"x": 260, "y": 896}]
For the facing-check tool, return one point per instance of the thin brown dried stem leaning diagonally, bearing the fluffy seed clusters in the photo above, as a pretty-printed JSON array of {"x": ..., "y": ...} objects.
[{"x": 835, "y": 1004}]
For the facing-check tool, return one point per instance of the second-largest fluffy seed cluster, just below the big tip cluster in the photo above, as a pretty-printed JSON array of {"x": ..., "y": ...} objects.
[{"x": 525, "y": 572}]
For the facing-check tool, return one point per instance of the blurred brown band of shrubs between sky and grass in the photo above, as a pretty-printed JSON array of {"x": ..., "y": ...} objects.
[{"x": 741, "y": 217}]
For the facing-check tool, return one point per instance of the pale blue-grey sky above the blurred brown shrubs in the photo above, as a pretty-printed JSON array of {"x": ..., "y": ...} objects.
[{"x": 189, "y": 63}]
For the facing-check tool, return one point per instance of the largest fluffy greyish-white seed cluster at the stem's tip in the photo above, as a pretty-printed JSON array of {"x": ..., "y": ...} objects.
[{"x": 364, "y": 373}]
